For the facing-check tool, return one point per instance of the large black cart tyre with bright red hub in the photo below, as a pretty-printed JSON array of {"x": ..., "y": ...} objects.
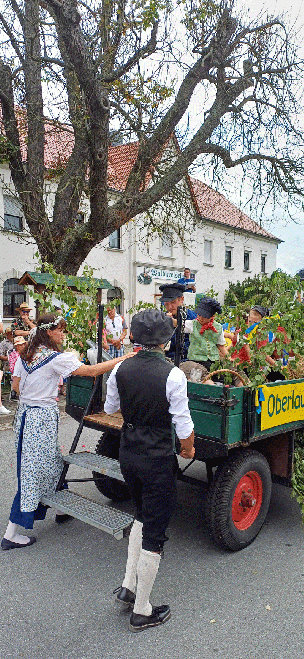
[{"x": 238, "y": 500}]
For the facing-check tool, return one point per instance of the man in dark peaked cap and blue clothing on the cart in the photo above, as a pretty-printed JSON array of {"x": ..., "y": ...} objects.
[{"x": 172, "y": 298}]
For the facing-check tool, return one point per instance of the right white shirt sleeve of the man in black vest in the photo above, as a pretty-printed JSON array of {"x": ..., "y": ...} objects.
[{"x": 176, "y": 393}]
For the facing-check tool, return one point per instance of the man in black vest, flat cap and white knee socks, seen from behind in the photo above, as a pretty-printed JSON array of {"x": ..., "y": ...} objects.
[{"x": 152, "y": 394}]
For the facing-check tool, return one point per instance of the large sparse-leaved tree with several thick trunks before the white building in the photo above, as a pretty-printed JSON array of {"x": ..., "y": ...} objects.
[{"x": 230, "y": 87}]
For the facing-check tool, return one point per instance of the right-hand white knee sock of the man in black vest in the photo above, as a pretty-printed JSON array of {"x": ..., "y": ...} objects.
[{"x": 147, "y": 568}]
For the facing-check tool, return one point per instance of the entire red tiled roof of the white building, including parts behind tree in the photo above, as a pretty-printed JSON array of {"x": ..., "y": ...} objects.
[{"x": 210, "y": 204}]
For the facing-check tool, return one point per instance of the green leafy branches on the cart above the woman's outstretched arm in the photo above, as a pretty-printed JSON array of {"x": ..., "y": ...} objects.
[{"x": 79, "y": 306}]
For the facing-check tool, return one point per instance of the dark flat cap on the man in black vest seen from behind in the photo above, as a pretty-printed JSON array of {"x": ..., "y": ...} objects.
[{"x": 152, "y": 327}]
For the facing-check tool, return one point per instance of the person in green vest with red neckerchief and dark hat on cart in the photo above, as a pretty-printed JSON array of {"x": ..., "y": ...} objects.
[{"x": 207, "y": 341}]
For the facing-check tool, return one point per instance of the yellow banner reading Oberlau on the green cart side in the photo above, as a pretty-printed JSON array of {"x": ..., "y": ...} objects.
[{"x": 284, "y": 403}]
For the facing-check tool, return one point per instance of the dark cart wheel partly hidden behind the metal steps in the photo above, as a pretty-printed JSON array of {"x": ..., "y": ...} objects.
[{"x": 108, "y": 446}]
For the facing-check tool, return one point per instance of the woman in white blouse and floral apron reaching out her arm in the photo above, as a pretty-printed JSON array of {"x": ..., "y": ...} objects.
[{"x": 39, "y": 460}]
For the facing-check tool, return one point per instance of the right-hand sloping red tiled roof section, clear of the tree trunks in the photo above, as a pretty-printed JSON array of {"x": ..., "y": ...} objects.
[{"x": 213, "y": 206}]
